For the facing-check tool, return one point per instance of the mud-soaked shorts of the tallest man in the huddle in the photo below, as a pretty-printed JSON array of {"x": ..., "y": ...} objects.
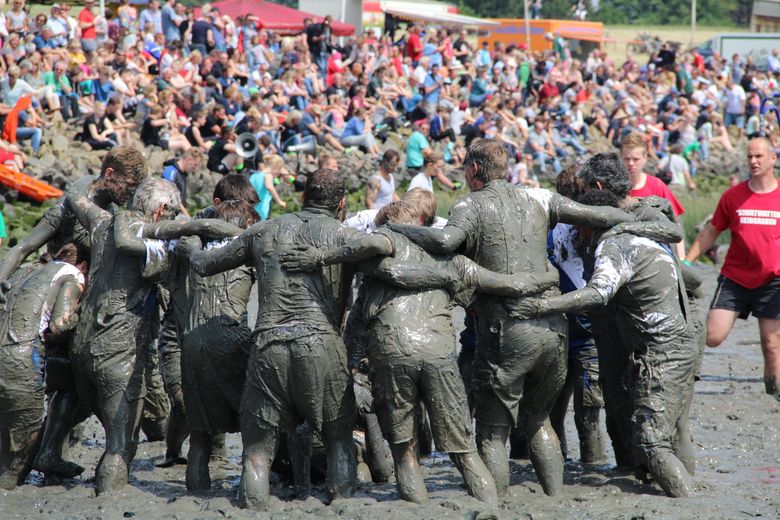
[{"x": 520, "y": 365}]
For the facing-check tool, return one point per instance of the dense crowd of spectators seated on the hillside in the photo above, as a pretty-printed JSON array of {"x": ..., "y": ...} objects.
[{"x": 181, "y": 79}]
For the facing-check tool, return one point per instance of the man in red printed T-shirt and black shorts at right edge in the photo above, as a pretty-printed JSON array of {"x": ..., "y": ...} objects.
[{"x": 750, "y": 277}]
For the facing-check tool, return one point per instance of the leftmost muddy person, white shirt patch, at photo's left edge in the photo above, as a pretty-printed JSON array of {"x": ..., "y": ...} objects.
[{"x": 41, "y": 309}]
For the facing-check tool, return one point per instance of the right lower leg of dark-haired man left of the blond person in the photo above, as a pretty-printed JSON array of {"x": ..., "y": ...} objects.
[{"x": 342, "y": 463}]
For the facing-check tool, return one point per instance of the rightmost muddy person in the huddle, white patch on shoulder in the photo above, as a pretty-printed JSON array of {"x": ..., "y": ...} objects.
[{"x": 644, "y": 281}]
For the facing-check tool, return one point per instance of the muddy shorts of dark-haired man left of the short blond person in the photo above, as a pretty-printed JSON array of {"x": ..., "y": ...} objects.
[{"x": 293, "y": 375}]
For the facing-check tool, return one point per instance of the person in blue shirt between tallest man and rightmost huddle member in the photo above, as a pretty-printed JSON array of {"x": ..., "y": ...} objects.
[{"x": 582, "y": 377}]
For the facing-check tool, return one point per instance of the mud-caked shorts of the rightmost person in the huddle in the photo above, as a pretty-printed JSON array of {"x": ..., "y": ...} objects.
[{"x": 663, "y": 376}]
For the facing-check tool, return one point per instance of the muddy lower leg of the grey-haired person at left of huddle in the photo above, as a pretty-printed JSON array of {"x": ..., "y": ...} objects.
[{"x": 121, "y": 420}]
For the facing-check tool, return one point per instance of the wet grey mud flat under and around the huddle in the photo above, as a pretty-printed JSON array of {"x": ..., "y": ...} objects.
[{"x": 735, "y": 427}]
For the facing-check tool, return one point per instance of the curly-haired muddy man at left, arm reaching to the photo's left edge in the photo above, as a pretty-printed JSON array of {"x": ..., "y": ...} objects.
[{"x": 122, "y": 169}]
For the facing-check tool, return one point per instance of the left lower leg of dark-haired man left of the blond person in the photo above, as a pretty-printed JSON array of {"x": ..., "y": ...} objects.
[{"x": 259, "y": 445}]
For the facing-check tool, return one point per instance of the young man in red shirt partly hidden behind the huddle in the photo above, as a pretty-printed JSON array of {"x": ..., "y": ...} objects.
[{"x": 633, "y": 153}]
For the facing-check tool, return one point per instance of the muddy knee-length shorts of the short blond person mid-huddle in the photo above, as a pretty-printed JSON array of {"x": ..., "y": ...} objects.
[{"x": 400, "y": 383}]
